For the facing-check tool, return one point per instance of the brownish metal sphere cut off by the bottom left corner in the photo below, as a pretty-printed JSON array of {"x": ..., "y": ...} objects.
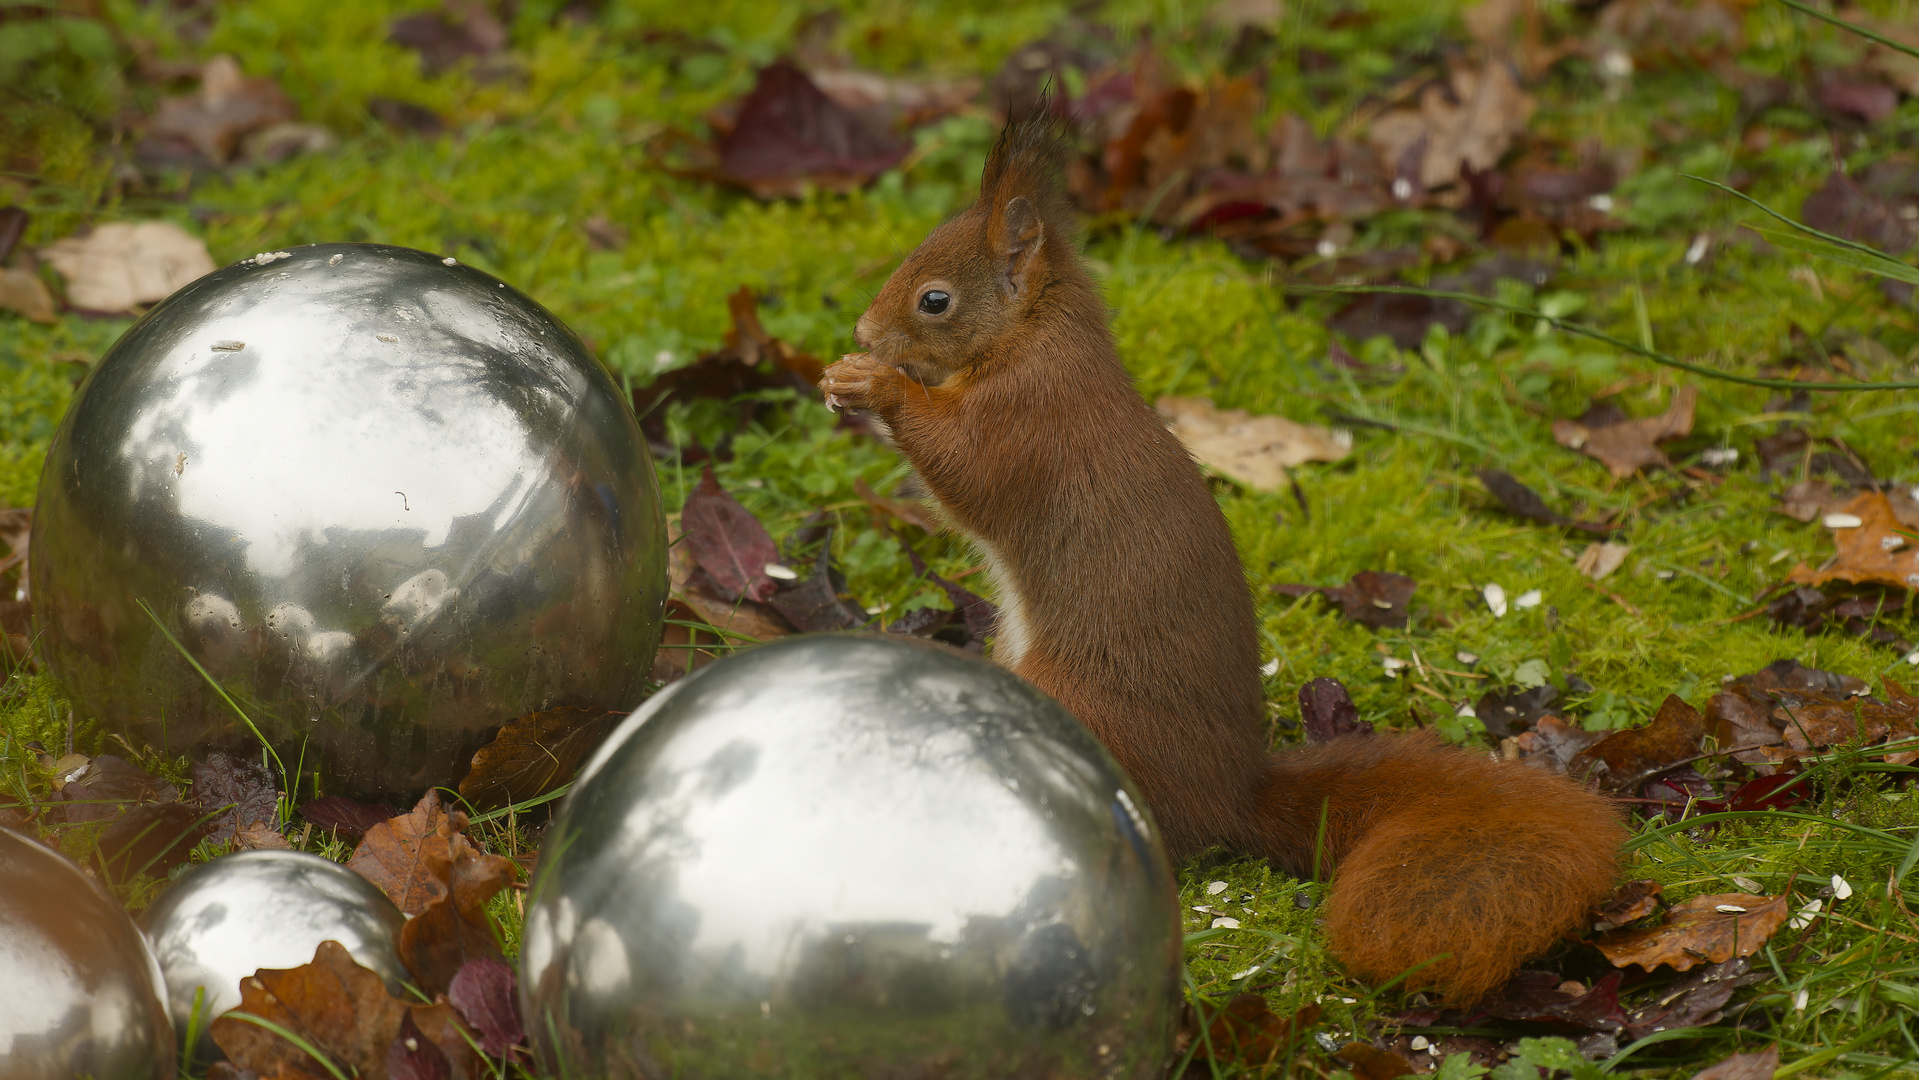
[{"x": 80, "y": 993}]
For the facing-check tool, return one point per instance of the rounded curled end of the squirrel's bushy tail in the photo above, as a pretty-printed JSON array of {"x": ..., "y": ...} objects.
[{"x": 1481, "y": 883}]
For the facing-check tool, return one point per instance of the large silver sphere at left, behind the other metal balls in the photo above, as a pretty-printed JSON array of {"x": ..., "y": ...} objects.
[{"x": 387, "y": 502}]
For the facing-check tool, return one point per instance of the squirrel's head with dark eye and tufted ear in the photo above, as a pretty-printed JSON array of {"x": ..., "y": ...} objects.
[{"x": 980, "y": 279}]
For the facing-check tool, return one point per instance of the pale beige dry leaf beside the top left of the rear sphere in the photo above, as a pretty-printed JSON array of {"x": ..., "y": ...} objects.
[{"x": 124, "y": 264}]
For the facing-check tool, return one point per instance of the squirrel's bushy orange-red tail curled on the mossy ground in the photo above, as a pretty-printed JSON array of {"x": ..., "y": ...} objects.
[{"x": 1446, "y": 862}]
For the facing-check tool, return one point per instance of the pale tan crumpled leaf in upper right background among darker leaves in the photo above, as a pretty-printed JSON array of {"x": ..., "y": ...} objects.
[{"x": 1471, "y": 122}]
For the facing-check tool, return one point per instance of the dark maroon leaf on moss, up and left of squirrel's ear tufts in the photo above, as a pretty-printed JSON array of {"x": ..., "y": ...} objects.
[{"x": 792, "y": 137}]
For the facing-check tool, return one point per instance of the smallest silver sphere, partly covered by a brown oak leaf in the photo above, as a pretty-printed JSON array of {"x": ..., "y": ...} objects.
[{"x": 239, "y": 914}]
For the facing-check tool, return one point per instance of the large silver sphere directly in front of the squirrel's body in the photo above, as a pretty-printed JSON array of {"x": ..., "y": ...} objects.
[{"x": 853, "y": 857}]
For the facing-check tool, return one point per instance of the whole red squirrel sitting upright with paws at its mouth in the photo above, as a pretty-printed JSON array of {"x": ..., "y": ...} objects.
[{"x": 1122, "y": 596}]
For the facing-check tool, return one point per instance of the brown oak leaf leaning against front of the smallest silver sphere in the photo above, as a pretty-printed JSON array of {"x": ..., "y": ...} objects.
[{"x": 341, "y": 1008}]
